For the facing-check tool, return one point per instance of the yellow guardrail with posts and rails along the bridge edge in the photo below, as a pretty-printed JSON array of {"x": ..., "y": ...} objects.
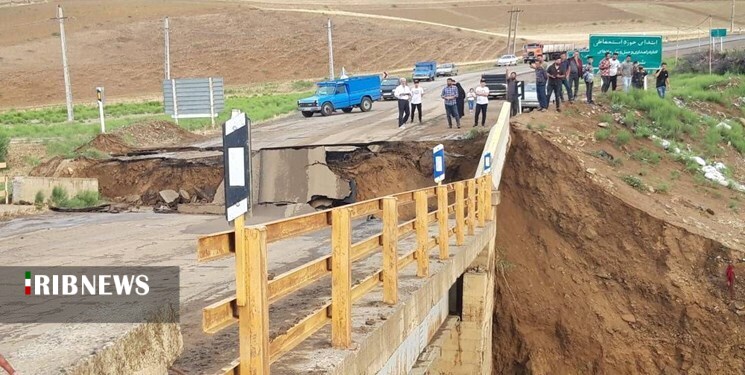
[{"x": 254, "y": 292}]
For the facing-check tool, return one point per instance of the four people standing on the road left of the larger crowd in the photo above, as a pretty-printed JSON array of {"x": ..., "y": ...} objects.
[{"x": 453, "y": 96}]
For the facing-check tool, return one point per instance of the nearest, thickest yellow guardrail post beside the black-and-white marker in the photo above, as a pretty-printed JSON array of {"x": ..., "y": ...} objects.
[{"x": 255, "y": 323}]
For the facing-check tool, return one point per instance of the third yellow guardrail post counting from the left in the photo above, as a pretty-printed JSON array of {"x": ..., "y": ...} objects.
[{"x": 390, "y": 250}]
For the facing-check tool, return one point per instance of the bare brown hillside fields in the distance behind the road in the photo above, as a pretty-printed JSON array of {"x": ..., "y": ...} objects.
[{"x": 118, "y": 44}]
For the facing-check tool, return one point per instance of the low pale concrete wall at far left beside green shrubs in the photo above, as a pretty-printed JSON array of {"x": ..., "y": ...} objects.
[{"x": 25, "y": 188}]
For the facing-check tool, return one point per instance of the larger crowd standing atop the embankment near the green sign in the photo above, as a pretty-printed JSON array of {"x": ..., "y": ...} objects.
[{"x": 565, "y": 73}]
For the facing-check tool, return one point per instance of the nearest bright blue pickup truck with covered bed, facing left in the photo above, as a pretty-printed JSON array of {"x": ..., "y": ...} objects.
[{"x": 344, "y": 94}]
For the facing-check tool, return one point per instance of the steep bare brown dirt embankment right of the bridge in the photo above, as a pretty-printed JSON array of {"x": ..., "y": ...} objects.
[{"x": 589, "y": 284}]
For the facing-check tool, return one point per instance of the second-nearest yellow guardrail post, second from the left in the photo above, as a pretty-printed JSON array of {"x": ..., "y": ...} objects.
[{"x": 341, "y": 278}]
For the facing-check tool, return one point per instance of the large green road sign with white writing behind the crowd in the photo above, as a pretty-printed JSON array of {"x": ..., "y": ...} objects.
[{"x": 647, "y": 50}]
